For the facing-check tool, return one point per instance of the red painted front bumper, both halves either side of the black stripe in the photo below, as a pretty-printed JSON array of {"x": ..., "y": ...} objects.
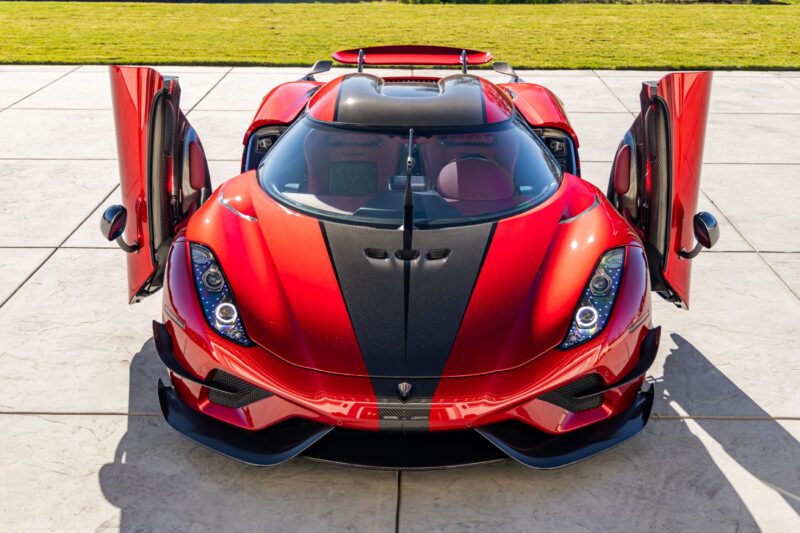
[{"x": 348, "y": 401}]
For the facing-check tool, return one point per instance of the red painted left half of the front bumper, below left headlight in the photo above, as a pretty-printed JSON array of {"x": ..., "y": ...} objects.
[{"x": 310, "y": 394}]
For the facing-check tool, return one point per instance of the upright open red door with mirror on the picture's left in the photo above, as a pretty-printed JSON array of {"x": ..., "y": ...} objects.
[{"x": 164, "y": 175}]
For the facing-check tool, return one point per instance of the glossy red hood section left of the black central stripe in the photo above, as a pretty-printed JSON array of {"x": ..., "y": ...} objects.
[{"x": 289, "y": 293}]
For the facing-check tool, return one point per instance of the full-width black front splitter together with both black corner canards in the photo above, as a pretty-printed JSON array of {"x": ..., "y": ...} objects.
[{"x": 319, "y": 439}]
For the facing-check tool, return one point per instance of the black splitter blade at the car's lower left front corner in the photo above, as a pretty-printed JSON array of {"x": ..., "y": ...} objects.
[{"x": 267, "y": 447}]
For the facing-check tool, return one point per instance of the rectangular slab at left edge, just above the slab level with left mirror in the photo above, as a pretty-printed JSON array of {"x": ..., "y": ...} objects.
[{"x": 62, "y": 134}]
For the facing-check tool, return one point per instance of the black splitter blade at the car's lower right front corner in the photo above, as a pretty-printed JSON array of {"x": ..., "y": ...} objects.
[{"x": 535, "y": 449}]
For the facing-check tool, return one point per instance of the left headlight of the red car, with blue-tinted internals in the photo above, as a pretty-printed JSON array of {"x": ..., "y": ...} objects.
[{"x": 216, "y": 298}]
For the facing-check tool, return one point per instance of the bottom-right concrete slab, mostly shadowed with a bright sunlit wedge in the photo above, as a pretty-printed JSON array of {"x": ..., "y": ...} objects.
[{"x": 676, "y": 476}]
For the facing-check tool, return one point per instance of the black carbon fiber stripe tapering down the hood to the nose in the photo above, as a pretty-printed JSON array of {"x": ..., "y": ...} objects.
[{"x": 406, "y": 314}]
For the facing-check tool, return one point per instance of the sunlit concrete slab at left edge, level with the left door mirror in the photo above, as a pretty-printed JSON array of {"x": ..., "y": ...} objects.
[{"x": 44, "y": 201}]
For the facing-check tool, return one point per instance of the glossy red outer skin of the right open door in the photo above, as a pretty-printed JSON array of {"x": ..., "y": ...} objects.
[{"x": 686, "y": 95}]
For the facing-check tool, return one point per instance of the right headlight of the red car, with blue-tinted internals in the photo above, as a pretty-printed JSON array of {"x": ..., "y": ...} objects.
[{"x": 597, "y": 299}]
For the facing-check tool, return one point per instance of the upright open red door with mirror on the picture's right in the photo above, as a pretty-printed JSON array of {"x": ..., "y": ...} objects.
[{"x": 655, "y": 179}]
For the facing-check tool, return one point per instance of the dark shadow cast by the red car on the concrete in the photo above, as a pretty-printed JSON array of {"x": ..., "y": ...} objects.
[{"x": 665, "y": 478}]
